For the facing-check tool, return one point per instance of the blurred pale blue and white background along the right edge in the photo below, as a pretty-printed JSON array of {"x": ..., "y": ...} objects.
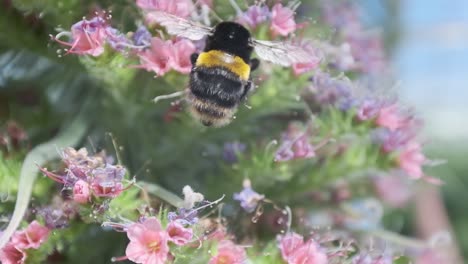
[{"x": 428, "y": 44}]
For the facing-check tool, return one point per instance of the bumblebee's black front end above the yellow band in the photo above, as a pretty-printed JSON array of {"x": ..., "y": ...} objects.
[{"x": 232, "y": 38}]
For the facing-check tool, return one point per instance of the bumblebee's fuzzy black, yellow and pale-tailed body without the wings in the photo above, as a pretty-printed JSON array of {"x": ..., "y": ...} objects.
[{"x": 220, "y": 77}]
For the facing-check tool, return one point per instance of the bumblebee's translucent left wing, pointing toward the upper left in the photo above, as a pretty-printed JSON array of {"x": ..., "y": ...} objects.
[{"x": 178, "y": 26}]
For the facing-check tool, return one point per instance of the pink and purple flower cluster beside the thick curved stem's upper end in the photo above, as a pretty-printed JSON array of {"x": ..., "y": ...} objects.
[{"x": 89, "y": 176}]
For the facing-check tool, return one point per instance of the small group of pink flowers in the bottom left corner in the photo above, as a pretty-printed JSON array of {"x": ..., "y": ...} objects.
[{"x": 32, "y": 237}]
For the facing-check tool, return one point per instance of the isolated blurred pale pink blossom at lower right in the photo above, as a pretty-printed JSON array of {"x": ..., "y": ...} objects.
[{"x": 392, "y": 190}]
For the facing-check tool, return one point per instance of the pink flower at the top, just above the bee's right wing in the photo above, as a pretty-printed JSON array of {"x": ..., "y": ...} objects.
[{"x": 282, "y": 20}]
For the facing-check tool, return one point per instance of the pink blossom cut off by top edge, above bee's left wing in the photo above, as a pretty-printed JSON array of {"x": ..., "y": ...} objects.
[{"x": 181, "y": 8}]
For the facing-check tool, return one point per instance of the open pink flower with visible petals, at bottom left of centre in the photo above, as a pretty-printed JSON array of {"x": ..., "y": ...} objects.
[{"x": 148, "y": 242}]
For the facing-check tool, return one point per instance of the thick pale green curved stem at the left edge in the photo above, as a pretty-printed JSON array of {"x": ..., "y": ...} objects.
[{"x": 42, "y": 153}]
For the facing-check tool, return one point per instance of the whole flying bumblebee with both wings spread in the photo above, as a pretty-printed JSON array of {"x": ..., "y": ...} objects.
[{"x": 220, "y": 75}]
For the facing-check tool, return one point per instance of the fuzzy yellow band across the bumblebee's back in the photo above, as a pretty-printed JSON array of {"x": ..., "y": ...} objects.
[{"x": 216, "y": 58}]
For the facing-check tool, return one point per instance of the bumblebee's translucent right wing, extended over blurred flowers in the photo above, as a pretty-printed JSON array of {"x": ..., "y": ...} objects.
[{"x": 283, "y": 53}]
